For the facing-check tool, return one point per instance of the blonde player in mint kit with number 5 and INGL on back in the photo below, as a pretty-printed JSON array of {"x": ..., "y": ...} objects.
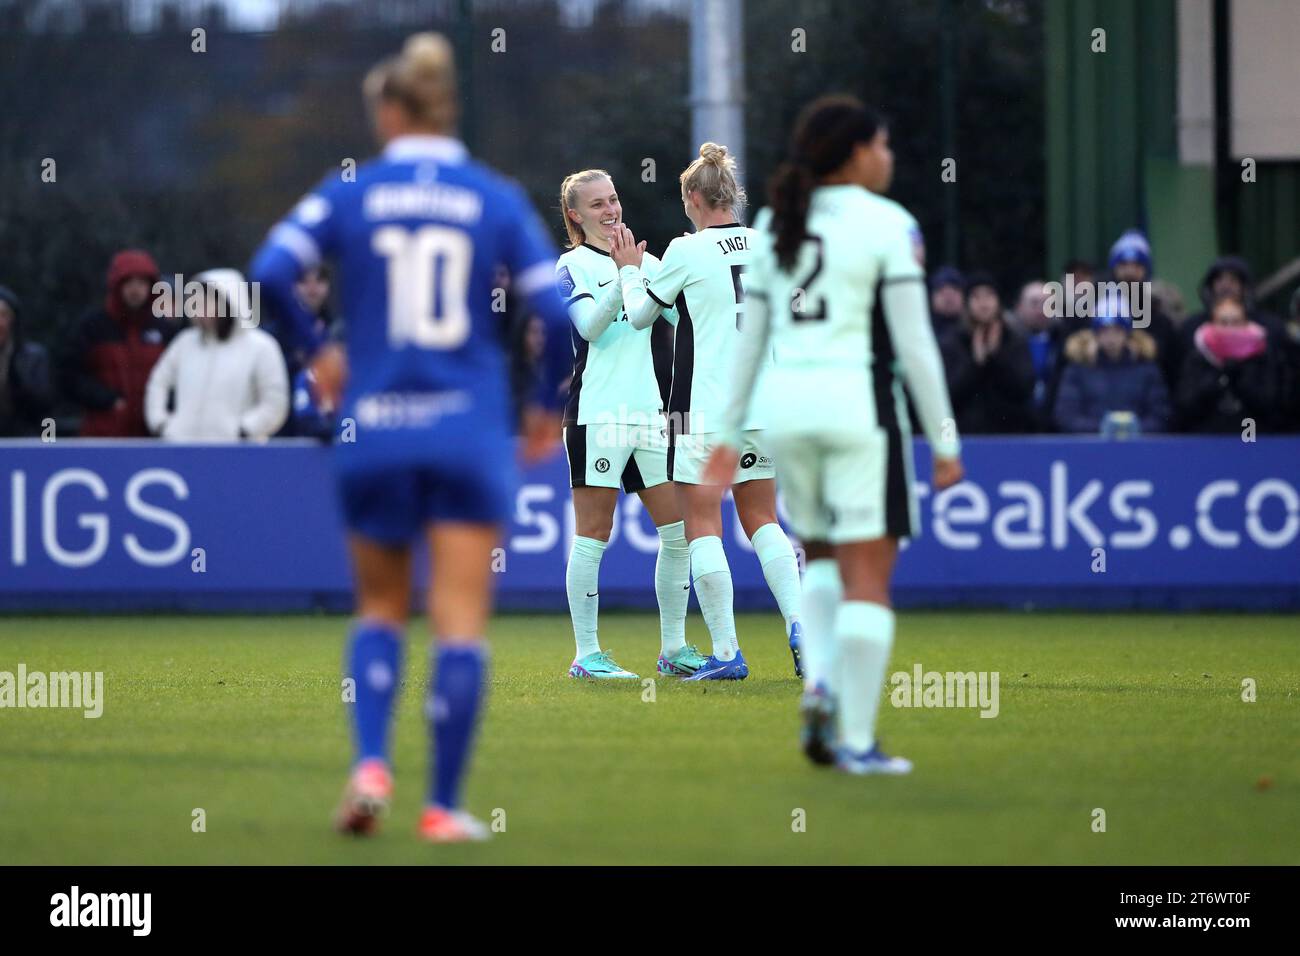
[{"x": 701, "y": 279}]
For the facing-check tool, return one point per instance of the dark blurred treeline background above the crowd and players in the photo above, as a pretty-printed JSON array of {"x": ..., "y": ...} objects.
[{"x": 194, "y": 155}]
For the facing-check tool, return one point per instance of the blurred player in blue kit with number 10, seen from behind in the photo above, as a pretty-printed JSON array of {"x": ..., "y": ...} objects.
[{"x": 418, "y": 239}]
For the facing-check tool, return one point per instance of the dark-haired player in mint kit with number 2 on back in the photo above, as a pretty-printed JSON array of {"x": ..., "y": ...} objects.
[{"x": 839, "y": 288}]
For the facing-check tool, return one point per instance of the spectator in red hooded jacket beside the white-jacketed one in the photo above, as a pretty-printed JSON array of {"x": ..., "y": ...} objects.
[{"x": 106, "y": 364}]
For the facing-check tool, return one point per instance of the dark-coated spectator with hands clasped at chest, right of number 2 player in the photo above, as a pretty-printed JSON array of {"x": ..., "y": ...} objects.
[{"x": 990, "y": 367}]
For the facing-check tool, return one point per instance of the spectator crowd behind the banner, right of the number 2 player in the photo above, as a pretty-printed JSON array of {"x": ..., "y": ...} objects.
[{"x": 1112, "y": 364}]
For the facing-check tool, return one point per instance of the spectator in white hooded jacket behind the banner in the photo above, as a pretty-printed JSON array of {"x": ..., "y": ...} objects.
[{"x": 229, "y": 379}]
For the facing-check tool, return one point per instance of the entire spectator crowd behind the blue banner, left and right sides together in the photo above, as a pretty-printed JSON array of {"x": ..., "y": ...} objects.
[{"x": 1115, "y": 365}]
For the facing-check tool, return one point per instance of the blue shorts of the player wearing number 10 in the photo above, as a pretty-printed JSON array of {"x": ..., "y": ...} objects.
[{"x": 395, "y": 505}]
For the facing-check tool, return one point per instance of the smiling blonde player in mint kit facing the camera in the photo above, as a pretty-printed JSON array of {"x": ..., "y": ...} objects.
[{"x": 614, "y": 431}]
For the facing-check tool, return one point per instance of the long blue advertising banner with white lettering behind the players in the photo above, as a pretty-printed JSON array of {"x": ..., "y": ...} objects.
[{"x": 1172, "y": 522}]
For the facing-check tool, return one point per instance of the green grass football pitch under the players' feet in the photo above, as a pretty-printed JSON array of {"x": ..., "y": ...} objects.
[{"x": 241, "y": 717}]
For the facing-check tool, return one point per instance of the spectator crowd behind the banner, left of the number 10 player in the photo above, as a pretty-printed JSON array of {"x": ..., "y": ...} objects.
[{"x": 154, "y": 361}]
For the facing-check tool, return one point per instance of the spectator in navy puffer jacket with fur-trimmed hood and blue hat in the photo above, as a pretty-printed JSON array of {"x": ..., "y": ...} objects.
[{"x": 1112, "y": 369}]
